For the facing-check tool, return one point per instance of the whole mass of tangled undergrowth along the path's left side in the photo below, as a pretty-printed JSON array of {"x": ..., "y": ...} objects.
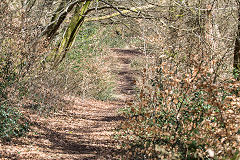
[{"x": 29, "y": 82}]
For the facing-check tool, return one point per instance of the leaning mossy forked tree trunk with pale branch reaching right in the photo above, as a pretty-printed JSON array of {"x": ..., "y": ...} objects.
[{"x": 77, "y": 19}]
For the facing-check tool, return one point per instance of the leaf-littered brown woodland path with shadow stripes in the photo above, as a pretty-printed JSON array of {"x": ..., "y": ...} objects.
[{"x": 83, "y": 130}]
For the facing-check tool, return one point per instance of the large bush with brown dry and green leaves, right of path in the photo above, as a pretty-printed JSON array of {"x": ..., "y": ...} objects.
[{"x": 183, "y": 116}]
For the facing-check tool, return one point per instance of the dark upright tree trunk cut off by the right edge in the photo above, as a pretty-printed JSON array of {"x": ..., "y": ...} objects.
[{"x": 236, "y": 63}]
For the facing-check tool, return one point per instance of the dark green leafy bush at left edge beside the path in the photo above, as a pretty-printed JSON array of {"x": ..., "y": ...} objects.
[{"x": 12, "y": 122}]
